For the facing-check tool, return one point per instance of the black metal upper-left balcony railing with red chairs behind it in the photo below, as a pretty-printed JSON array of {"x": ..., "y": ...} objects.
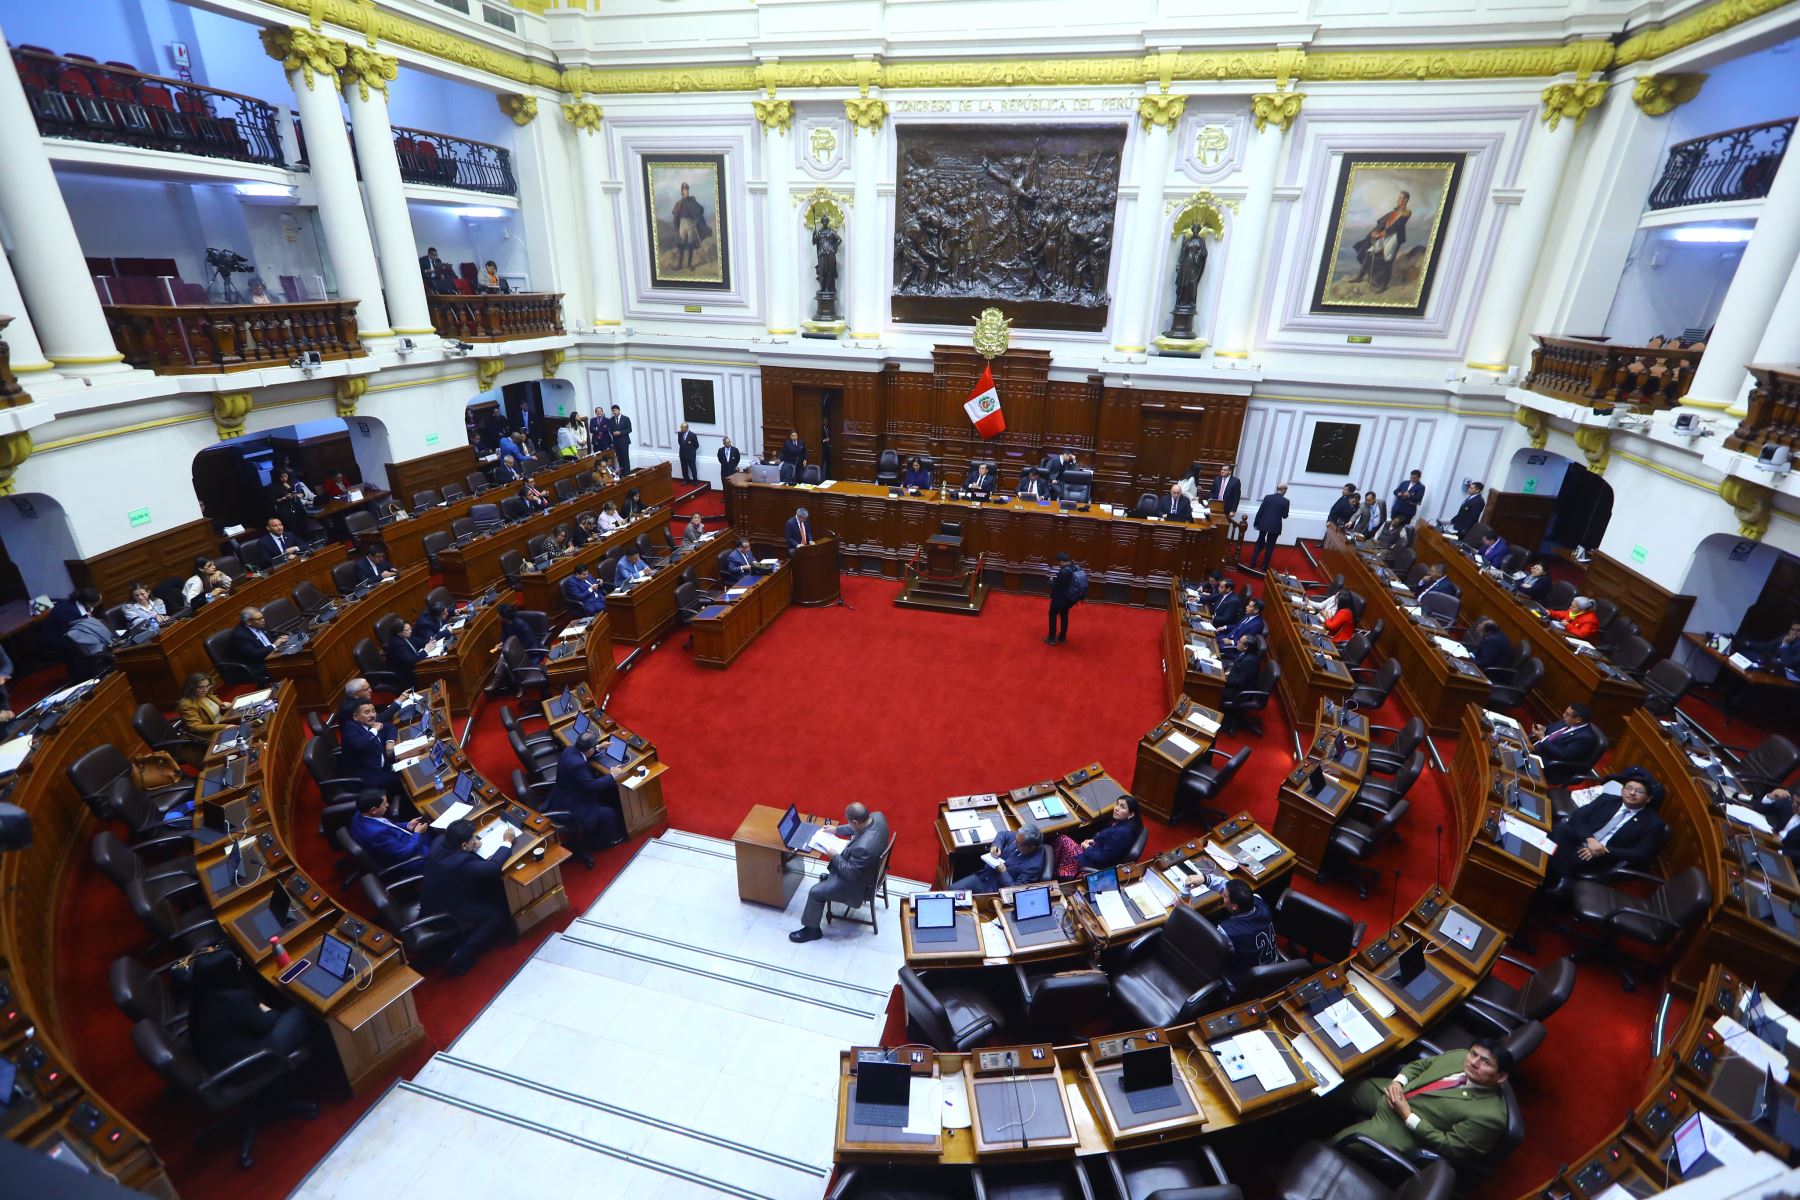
[{"x": 89, "y": 102}]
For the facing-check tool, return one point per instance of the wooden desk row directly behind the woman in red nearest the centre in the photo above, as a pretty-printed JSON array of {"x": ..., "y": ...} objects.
[{"x": 1437, "y": 685}]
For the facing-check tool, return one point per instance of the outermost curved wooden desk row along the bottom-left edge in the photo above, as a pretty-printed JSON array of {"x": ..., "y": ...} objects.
[{"x": 57, "y": 1109}]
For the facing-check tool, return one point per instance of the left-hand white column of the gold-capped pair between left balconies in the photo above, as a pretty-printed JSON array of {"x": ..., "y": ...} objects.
[{"x": 312, "y": 66}]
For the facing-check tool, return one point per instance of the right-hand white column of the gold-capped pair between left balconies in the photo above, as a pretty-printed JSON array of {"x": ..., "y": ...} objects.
[{"x": 364, "y": 80}]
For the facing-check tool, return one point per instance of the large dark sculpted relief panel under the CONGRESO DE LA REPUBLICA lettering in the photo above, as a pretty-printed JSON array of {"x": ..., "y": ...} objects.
[{"x": 1018, "y": 217}]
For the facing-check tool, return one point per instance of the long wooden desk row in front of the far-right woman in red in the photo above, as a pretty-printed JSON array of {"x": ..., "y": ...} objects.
[{"x": 1569, "y": 677}]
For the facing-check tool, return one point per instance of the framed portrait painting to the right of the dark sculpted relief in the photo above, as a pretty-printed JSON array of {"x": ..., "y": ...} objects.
[{"x": 1387, "y": 235}]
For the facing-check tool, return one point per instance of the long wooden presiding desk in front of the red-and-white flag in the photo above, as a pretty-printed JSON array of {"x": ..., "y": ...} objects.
[{"x": 1129, "y": 560}]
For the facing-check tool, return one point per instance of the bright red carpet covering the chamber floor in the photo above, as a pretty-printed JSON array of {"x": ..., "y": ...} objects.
[{"x": 899, "y": 710}]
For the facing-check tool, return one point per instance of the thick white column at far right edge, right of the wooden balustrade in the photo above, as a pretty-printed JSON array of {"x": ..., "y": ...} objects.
[{"x": 1749, "y": 310}]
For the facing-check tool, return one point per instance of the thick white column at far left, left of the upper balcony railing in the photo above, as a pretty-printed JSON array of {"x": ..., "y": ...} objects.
[{"x": 66, "y": 312}]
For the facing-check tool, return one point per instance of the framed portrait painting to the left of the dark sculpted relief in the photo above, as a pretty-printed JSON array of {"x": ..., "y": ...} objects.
[{"x": 685, "y": 197}]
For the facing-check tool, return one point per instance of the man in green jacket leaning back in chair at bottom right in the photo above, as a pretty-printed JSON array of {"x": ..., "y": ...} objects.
[{"x": 1450, "y": 1104}]
